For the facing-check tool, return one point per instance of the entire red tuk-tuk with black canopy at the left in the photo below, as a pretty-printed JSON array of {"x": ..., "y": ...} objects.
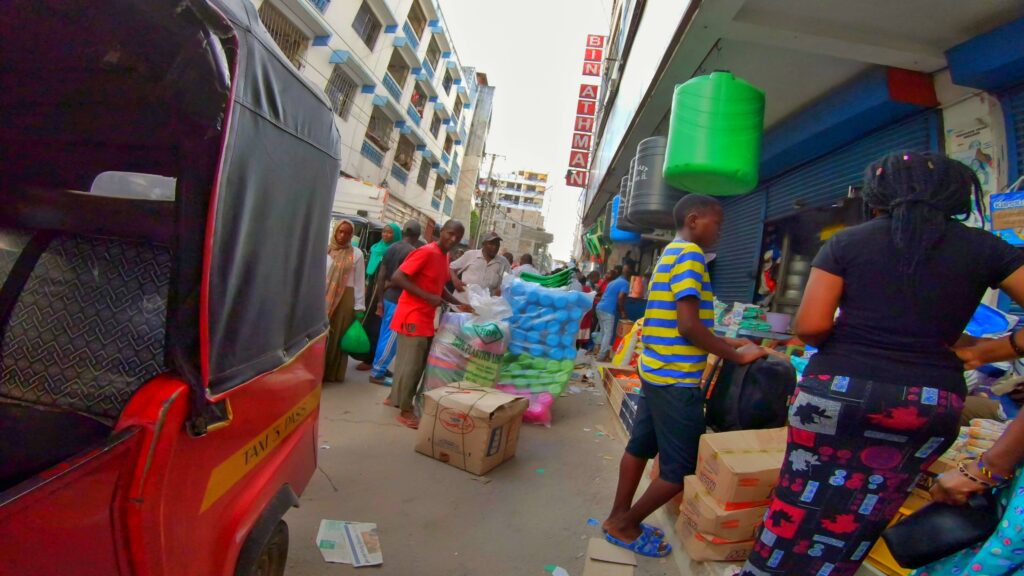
[{"x": 166, "y": 182}]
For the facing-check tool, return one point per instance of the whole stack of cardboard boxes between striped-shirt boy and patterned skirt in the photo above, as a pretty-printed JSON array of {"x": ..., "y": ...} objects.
[{"x": 726, "y": 503}]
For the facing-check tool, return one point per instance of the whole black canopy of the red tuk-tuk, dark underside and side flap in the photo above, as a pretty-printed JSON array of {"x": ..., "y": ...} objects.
[{"x": 209, "y": 100}]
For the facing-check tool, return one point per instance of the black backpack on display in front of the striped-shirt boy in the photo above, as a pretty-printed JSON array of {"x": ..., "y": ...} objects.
[{"x": 752, "y": 397}]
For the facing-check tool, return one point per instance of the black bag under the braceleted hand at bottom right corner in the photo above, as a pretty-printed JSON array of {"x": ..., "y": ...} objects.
[{"x": 940, "y": 530}]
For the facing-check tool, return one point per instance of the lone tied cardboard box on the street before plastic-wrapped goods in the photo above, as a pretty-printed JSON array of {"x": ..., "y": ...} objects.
[{"x": 471, "y": 428}]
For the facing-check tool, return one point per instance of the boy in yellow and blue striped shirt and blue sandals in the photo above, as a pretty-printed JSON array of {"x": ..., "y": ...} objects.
[{"x": 677, "y": 338}]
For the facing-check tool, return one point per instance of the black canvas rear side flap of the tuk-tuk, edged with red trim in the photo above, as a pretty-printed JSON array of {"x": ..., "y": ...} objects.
[{"x": 264, "y": 278}]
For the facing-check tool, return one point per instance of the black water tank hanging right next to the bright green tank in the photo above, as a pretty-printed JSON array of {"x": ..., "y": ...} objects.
[{"x": 652, "y": 200}]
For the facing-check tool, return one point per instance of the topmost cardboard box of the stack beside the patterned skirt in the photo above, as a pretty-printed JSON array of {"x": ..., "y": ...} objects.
[{"x": 740, "y": 469}]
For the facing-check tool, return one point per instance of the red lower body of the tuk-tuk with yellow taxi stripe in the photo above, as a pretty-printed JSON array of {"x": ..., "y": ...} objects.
[{"x": 152, "y": 502}]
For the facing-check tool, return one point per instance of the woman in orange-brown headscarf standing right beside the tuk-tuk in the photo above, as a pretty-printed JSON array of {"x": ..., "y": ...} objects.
[{"x": 346, "y": 297}]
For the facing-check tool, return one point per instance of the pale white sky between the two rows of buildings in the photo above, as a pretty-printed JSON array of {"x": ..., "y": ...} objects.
[{"x": 532, "y": 52}]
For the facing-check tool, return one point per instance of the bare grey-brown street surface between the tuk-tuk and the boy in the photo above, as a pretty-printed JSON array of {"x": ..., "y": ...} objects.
[{"x": 436, "y": 520}]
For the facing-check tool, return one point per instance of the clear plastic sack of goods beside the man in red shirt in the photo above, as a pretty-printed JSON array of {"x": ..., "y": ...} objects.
[{"x": 471, "y": 347}]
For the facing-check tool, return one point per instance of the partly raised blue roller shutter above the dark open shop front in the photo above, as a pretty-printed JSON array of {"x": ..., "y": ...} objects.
[{"x": 829, "y": 179}]
